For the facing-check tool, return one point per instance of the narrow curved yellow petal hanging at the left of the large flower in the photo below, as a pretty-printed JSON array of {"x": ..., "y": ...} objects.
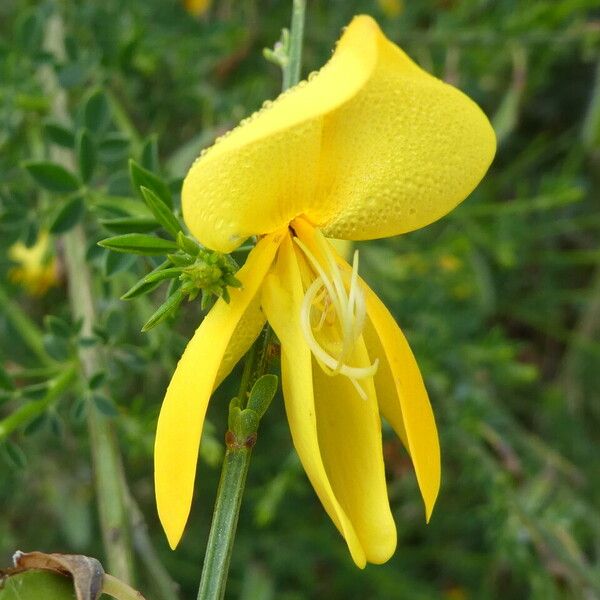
[{"x": 182, "y": 414}]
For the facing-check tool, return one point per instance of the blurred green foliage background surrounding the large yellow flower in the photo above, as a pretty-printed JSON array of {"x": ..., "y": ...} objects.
[{"x": 500, "y": 300}]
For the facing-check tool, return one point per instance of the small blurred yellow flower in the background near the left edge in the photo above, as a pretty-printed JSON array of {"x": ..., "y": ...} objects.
[{"x": 37, "y": 268}]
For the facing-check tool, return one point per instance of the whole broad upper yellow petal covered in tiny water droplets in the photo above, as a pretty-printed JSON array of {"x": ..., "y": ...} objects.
[{"x": 369, "y": 147}]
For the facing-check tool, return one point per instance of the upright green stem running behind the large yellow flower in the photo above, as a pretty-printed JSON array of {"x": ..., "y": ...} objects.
[{"x": 237, "y": 457}]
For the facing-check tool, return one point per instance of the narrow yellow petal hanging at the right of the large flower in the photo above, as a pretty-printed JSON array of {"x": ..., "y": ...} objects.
[{"x": 409, "y": 411}]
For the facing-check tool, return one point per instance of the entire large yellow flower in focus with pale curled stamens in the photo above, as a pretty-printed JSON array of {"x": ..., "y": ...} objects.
[{"x": 371, "y": 146}]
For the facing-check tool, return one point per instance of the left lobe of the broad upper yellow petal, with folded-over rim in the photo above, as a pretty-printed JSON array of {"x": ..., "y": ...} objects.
[{"x": 264, "y": 173}]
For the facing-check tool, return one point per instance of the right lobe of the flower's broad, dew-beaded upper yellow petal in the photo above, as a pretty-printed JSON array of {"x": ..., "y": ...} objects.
[{"x": 401, "y": 153}]
